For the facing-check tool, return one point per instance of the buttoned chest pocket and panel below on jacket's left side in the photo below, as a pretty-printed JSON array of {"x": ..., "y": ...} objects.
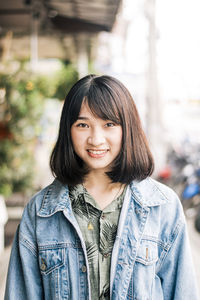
[{"x": 54, "y": 273}]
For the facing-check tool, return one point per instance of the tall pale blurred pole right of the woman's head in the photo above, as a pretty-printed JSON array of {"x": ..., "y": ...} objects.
[{"x": 154, "y": 123}]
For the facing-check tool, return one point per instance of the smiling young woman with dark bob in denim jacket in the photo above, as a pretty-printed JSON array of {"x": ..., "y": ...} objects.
[{"x": 103, "y": 229}]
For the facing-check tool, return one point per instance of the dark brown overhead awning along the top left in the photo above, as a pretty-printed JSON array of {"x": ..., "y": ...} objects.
[{"x": 63, "y": 15}]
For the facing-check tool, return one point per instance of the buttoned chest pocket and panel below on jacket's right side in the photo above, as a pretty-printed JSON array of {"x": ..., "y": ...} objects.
[{"x": 143, "y": 275}]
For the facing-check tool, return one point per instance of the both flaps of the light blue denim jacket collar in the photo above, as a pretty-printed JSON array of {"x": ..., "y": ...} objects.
[{"x": 56, "y": 198}]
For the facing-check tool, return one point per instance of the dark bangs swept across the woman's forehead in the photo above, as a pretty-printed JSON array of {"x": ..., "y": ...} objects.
[{"x": 102, "y": 104}]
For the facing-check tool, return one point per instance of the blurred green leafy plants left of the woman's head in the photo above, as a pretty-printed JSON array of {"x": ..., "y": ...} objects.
[{"x": 22, "y": 98}]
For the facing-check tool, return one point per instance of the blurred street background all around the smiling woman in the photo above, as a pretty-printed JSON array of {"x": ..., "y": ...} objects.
[{"x": 47, "y": 45}]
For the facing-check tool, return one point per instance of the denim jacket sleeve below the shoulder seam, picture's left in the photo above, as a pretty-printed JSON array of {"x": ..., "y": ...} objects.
[{"x": 23, "y": 279}]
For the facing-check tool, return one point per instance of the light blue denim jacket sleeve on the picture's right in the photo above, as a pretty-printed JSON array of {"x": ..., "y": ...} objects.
[{"x": 176, "y": 271}]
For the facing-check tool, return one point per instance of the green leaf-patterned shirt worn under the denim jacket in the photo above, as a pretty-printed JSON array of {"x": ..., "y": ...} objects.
[{"x": 99, "y": 228}]
